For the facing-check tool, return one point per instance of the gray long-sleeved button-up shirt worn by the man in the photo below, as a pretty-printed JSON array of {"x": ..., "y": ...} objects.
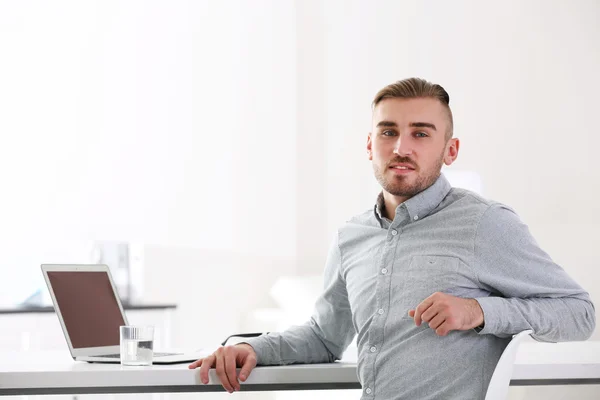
[{"x": 442, "y": 240}]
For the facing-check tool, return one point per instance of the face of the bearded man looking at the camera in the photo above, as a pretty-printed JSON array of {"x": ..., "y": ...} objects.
[{"x": 407, "y": 144}]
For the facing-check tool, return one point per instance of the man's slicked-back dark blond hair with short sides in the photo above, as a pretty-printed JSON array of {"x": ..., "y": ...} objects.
[{"x": 412, "y": 88}]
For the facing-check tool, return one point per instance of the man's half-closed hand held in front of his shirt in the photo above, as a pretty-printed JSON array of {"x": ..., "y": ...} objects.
[{"x": 445, "y": 313}]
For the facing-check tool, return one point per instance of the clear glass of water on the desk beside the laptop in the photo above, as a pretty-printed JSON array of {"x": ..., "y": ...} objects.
[{"x": 137, "y": 345}]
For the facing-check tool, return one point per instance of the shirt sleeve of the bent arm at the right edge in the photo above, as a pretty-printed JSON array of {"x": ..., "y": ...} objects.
[{"x": 528, "y": 290}]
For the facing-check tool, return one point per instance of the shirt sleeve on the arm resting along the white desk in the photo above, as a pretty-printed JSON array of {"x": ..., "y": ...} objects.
[{"x": 325, "y": 336}]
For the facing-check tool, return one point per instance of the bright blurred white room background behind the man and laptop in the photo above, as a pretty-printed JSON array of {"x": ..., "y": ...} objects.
[{"x": 210, "y": 149}]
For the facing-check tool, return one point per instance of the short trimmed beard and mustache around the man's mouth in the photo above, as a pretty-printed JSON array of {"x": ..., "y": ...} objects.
[{"x": 407, "y": 186}]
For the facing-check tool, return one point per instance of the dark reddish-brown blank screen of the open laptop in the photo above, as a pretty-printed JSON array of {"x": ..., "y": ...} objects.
[{"x": 88, "y": 306}]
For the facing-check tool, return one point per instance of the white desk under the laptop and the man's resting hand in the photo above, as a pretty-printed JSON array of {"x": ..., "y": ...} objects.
[{"x": 57, "y": 373}]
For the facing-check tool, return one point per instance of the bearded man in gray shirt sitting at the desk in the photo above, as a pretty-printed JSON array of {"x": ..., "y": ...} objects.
[{"x": 434, "y": 280}]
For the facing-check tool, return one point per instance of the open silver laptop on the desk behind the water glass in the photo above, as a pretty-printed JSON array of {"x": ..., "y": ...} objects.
[{"x": 90, "y": 313}]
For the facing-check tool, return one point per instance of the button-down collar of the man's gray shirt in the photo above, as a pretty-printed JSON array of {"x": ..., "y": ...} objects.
[{"x": 422, "y": 204}]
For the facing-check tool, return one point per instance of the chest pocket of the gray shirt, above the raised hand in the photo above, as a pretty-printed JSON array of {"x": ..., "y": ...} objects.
[{"x": 424, "y": 276}]
